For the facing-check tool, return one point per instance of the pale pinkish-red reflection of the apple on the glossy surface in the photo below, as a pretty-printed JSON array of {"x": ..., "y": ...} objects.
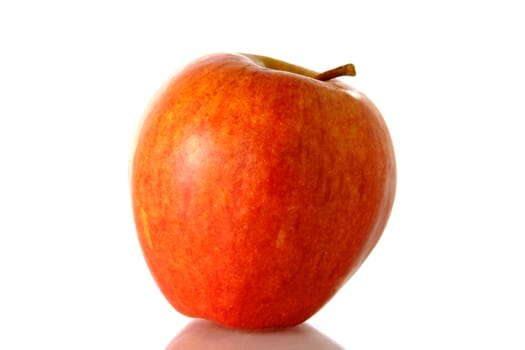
[{"x": 201, "y": 334}]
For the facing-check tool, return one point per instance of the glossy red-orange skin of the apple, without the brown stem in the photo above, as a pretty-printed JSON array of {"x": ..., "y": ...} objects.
[{"x": 258, "y": 192}]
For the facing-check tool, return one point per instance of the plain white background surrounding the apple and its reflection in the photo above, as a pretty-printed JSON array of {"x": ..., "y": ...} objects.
[{"x": 448, "y": 77}]
